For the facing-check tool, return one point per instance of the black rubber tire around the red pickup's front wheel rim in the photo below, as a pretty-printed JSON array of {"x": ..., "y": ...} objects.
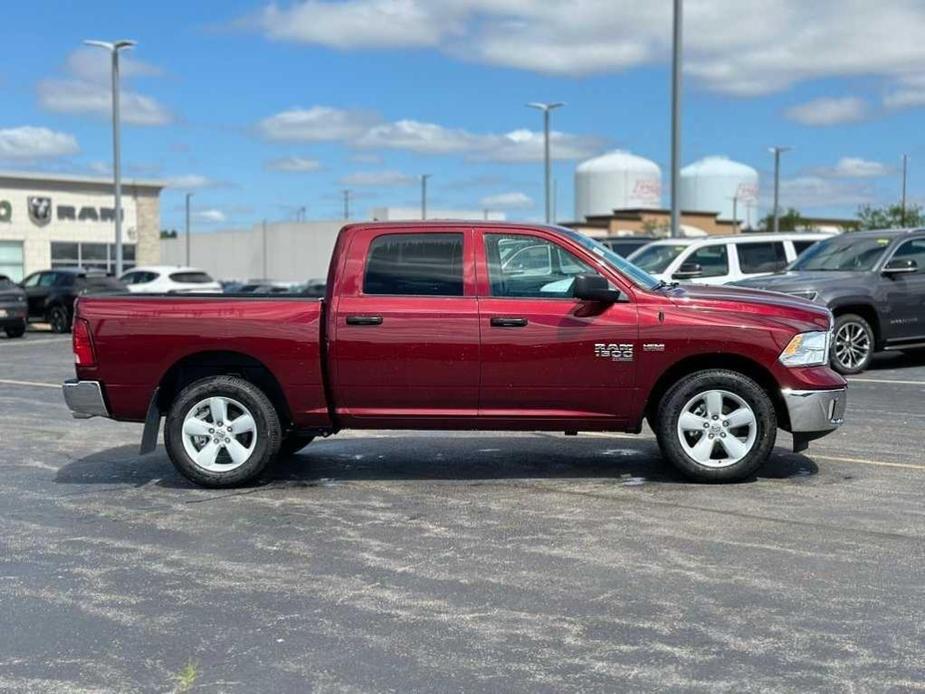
[{"x": 688, "y": 388}]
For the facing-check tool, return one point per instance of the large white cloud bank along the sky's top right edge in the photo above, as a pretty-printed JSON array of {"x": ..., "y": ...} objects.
[{"x": 731, "y": 46}]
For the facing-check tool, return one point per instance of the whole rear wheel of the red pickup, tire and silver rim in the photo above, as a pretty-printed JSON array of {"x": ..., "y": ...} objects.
[{"x": 222, "y": 431}]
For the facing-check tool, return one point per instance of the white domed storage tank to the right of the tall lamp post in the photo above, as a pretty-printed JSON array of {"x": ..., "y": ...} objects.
[{"x": 710, "y": 184}]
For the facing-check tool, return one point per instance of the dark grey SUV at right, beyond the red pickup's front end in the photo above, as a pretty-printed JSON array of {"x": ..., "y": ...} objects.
[{"x": 874, "y": 284}]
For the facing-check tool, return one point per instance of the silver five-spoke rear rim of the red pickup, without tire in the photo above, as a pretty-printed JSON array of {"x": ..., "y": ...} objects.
[{"x": 219, "y": 434}]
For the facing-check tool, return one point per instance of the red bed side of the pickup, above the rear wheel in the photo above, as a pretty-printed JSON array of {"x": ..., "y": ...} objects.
[{"x": 139, "y": 340}]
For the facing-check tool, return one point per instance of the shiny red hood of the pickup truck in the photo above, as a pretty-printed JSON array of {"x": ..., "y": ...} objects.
[{"x": 760, "y": 306}]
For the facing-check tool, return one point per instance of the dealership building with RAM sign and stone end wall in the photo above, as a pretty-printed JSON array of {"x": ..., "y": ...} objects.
[{"x": 55, "y": 220}]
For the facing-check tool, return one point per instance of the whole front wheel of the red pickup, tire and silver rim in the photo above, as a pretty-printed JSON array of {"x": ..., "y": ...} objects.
[{"x": 716, "y": 426}]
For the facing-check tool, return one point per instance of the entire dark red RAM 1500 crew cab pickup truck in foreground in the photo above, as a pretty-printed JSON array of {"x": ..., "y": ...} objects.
[{"x": 461, "y": 326}]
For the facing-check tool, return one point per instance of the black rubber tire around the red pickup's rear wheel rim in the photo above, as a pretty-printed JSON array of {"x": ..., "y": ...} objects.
[{"x": 267, "y": 430}]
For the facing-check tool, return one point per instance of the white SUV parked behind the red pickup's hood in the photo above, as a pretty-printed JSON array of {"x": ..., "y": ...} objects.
[{"x": 721, "y": 259}]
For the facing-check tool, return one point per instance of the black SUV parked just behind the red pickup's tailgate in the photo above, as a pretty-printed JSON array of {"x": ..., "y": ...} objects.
[{"x": 51, "y": 293}]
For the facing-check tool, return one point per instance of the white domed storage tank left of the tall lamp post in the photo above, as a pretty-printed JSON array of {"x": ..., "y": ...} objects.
[{"x": 616, "y": 180}]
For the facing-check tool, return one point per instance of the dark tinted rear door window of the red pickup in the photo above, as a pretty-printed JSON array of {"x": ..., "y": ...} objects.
[{"x": 428, "y": 264}]
